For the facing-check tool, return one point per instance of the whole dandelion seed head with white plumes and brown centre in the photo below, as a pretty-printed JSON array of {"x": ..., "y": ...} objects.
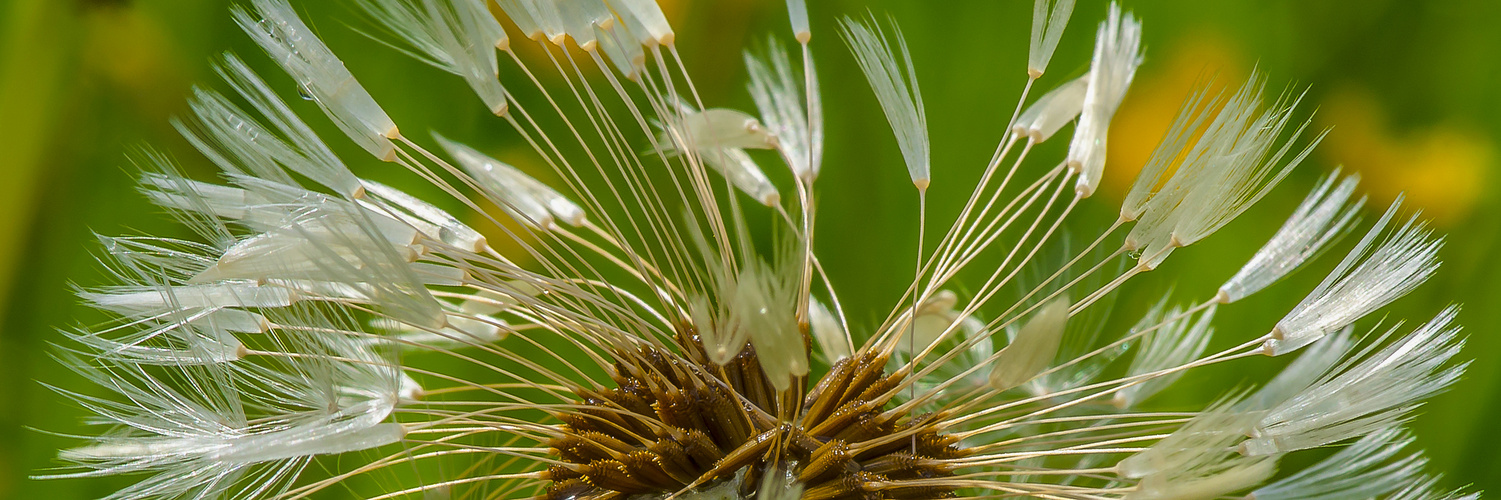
[{"x": 625, "y": 333}]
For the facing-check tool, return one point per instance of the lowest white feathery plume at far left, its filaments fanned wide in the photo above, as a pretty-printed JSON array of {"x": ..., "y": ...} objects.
[{"x": 239, "y": 429}]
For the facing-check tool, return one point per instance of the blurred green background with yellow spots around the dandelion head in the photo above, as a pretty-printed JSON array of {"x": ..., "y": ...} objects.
[{"x": 1409, "y": 86}]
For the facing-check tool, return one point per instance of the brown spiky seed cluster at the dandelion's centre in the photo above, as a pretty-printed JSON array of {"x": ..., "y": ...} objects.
[{"x": 675, "y": 423}]
